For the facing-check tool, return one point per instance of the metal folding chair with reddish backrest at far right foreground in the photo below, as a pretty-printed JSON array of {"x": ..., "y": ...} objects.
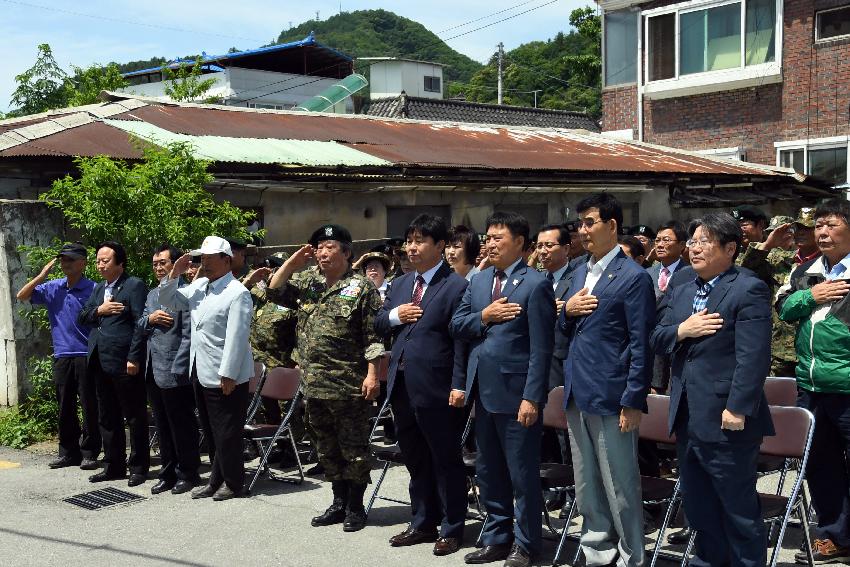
[{"x": 793, "y": 440}]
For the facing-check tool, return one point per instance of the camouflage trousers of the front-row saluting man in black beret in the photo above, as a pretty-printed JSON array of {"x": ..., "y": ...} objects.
[{"x": 342, "y": 437}]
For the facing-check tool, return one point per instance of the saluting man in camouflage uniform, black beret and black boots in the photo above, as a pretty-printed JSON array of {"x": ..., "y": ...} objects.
[{"x": 336, "y": 348}]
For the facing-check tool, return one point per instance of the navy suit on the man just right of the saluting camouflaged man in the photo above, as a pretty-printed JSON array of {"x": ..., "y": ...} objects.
[{"x": 429, "y": 431}]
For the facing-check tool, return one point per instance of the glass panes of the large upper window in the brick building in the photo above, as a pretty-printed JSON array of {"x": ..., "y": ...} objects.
[{"x": 688, "y": 39}]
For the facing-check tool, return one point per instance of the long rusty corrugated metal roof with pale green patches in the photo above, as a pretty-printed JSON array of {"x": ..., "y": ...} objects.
[{"x": 239, "y": 134}]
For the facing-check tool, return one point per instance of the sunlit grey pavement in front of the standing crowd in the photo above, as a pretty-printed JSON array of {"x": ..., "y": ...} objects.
[{"x": 272, "y": 527}]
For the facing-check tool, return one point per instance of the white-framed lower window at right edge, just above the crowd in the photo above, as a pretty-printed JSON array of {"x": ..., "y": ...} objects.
[{"x": 824, "y": 158}]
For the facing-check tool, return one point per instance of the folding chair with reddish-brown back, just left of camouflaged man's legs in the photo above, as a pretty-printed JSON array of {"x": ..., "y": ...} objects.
[{"x": 281, "y": 384}]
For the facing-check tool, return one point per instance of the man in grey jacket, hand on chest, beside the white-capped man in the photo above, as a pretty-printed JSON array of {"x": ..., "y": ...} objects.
[{"x": 169, "y": 336}]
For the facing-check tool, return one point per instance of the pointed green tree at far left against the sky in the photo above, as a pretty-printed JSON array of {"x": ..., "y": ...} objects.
[{"x": 42, "y": 86}]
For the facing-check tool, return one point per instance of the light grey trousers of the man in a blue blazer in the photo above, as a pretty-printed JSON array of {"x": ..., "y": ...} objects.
[{"x": 608, "y": 492}]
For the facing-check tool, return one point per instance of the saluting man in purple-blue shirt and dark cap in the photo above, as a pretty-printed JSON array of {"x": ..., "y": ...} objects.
[{"x": 64, "y": 297}]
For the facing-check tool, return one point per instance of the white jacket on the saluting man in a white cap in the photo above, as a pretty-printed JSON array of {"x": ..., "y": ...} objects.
[{"x": 221, "y": 314}]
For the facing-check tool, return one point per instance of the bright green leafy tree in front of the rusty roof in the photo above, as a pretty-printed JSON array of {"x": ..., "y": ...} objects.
[{"x": 161, "y": 199}]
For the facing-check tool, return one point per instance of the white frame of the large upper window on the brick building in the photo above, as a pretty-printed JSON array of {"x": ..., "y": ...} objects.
[{"x": 709, "y": 81}]
